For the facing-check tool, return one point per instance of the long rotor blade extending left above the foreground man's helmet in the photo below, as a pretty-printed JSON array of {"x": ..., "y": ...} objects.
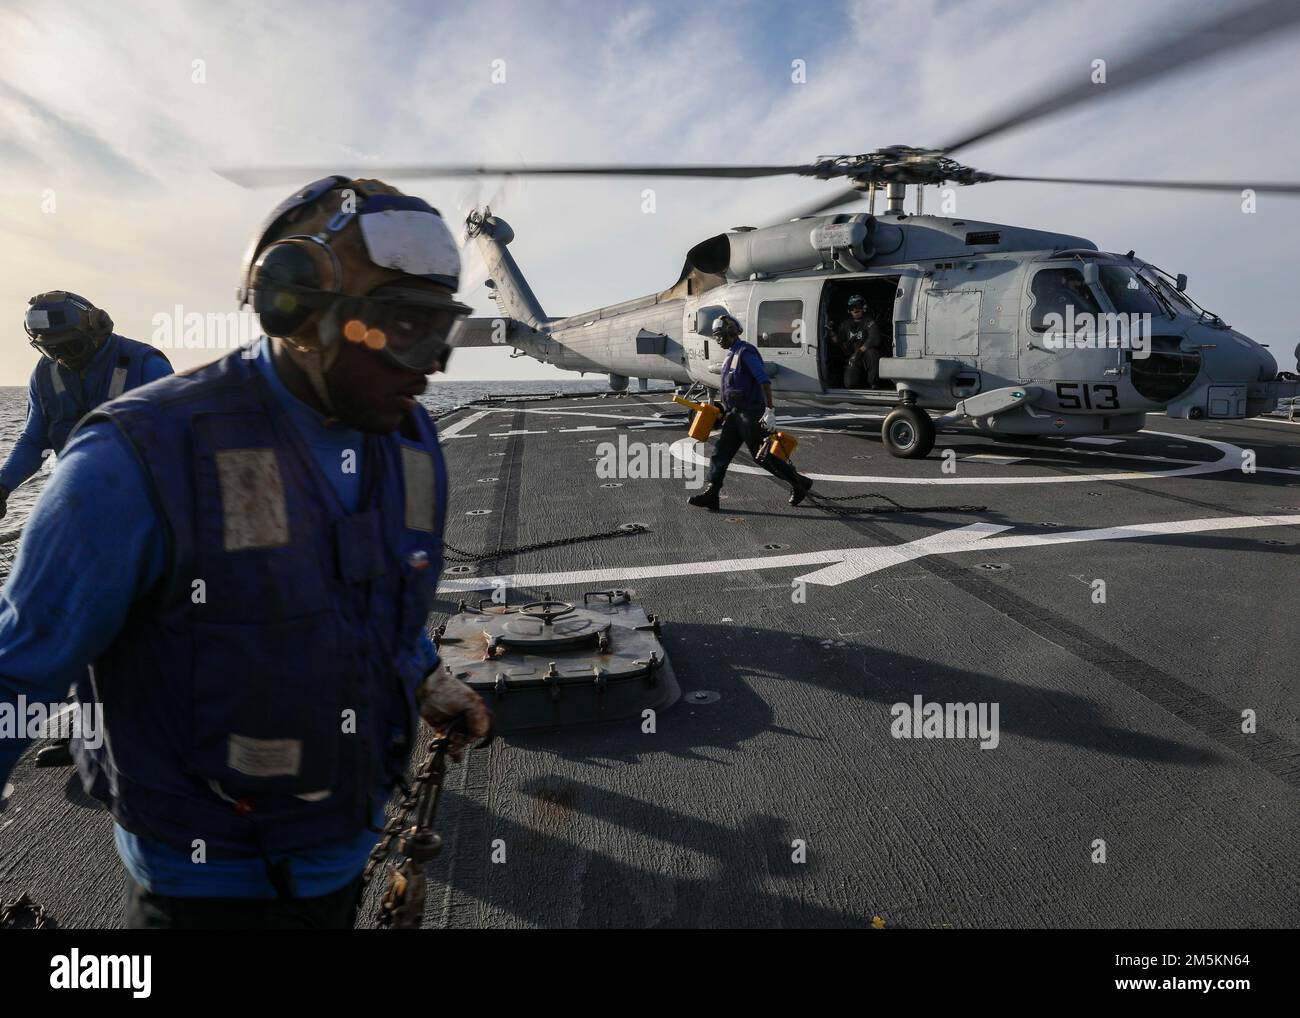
[{"x": 259, "y": 177}]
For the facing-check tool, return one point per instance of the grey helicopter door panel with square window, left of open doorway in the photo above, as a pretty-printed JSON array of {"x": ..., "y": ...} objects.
[{"x": 783, "y": 324}]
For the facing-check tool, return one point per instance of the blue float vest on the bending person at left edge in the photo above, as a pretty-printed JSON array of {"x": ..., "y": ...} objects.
[{"x": 66, "y": 398}]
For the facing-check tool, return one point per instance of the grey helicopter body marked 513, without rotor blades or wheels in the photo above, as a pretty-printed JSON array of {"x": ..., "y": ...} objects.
[{"x": 1084, "y": 340}]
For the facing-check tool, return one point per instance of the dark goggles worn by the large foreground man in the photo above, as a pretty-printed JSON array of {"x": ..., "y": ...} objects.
[{"x": 414, "y": 330}]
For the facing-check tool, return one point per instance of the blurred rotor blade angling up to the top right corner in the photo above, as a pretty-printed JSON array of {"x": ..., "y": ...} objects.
[{"x": 1234, "y": 29}]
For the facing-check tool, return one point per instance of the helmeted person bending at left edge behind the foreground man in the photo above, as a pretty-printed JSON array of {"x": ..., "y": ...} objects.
[{"x": 84, "y": 365}]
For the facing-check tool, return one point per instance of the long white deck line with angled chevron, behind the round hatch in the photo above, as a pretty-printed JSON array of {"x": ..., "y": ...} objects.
[{"x": 852, "y": 564}]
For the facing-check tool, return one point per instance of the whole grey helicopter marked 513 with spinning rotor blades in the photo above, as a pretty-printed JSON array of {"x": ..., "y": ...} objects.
[{"x": 1019, "y": 333}]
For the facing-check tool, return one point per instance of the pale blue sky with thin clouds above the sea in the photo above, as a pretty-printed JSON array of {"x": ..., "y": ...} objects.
[{"x": 115, "y": 116}]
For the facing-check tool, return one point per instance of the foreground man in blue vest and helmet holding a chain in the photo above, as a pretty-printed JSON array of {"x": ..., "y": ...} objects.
[{"x": 257, "y": 625}]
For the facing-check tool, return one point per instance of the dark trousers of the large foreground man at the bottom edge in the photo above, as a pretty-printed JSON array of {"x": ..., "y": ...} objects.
[{"x": 337, "y": 911}]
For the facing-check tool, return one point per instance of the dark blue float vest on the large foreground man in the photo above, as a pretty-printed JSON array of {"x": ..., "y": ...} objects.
[{"x": 262, "y": 698}]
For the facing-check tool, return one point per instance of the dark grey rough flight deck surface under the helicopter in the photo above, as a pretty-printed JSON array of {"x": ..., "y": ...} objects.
[{"x": 787, "y": 802}]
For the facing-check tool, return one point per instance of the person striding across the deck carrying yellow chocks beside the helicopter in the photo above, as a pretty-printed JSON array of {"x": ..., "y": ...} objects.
[{"x": 747, "y": 395}]
